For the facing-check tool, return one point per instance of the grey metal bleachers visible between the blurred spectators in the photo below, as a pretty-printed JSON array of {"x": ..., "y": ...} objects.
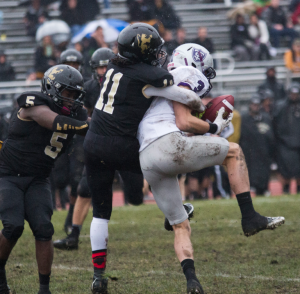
[{"x": 241, "y": 80}]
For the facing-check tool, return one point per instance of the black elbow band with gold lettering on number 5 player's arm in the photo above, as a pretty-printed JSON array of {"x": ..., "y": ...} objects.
[{"x": 67, "y": 125}]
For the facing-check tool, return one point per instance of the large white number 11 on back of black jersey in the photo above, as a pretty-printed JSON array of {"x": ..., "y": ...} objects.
[{"x": 108, "y": 107}]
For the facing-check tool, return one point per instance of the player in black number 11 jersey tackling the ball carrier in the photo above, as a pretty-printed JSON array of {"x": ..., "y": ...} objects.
[{"x": 111, "y": 142}]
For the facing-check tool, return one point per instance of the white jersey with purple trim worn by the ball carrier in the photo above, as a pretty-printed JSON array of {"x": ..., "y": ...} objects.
[{"x": 159, "y": 120}]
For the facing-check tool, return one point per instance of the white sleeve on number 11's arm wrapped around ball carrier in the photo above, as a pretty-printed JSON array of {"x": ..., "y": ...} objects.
[{"x": 178, "y": 94}]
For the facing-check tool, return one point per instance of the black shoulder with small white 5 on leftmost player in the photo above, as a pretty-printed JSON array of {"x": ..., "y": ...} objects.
[{"x": 29, "y": 99}]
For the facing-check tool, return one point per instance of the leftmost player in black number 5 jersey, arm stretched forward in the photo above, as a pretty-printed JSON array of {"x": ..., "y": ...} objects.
[{"x": 39, "y": 132}]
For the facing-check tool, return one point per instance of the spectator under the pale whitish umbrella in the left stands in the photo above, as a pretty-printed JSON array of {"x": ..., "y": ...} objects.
[{"x": 44, "y": 57}]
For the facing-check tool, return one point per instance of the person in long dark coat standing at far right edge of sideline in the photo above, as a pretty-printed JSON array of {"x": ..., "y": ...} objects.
[{"x": 287, "y": 134}]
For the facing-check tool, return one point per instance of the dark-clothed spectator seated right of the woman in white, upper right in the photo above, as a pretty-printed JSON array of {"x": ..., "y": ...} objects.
[{"x": 278, "y": 24}]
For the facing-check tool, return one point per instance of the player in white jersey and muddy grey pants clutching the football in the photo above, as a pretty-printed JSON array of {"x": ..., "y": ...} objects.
[{"x": 166, "y": 151}]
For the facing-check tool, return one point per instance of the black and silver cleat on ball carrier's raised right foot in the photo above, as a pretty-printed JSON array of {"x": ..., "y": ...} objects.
[{"x": 259, "y": 223}]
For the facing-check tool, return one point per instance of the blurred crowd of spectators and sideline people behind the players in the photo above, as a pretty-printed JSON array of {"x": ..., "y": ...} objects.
[{"x": 268, "y": 132}]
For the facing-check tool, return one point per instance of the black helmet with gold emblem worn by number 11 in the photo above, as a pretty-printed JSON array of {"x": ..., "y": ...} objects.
[{"x": 141, "y": 42}]
